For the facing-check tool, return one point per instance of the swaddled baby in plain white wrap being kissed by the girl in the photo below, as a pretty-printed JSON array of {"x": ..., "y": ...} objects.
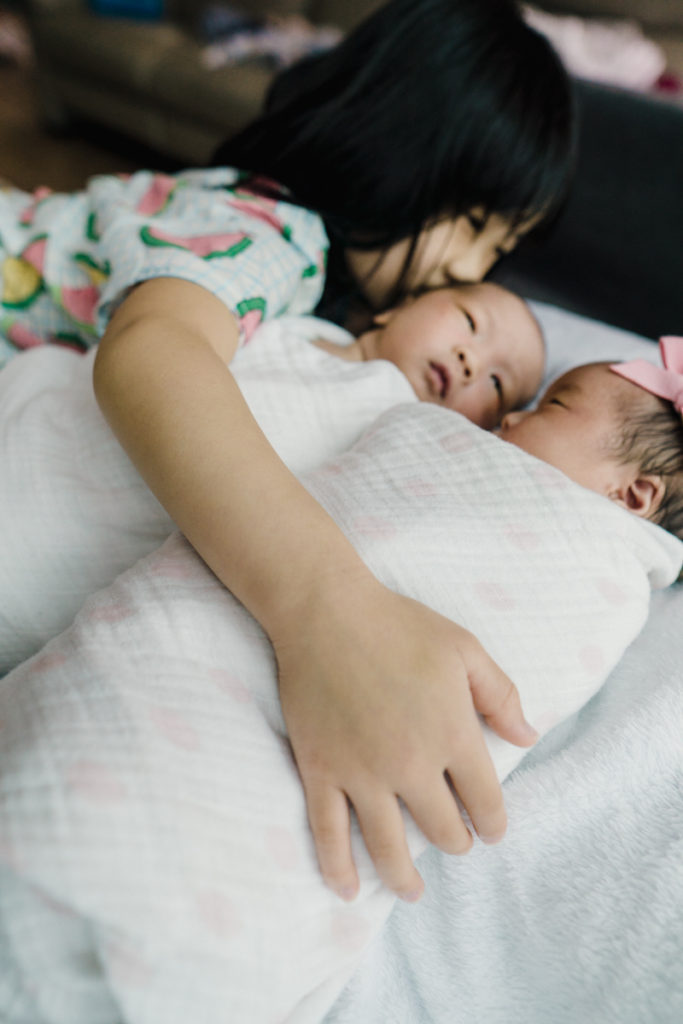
[{"x": 77, "y": 511}]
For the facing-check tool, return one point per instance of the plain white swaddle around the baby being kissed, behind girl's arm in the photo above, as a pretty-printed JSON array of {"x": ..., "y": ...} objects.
[{"x": 75, "y": 514}]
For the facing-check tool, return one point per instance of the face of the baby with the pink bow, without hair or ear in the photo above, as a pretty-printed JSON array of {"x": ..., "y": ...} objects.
[{"x": 574, "y": 425}]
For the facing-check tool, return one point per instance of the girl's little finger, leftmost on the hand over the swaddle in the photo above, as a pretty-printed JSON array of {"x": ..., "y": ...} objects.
[{"x": 330, "y": 824}]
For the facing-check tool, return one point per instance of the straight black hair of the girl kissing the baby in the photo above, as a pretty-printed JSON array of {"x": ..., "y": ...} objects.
[{"x": 429, "y": 109}]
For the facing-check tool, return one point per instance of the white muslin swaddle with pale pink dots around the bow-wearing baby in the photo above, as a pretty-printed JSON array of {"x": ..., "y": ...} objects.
[{"x": 157, "y": 862}]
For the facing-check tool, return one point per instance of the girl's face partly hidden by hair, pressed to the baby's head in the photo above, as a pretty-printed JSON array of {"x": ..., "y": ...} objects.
[{"x": 463, "y": 249}]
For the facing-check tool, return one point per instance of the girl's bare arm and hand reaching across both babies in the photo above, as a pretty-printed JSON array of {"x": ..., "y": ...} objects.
[{"x": 379, "y": 694}]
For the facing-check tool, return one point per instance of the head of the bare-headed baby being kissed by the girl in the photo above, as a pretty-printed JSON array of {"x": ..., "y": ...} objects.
[{"x": 474, "y": 349}]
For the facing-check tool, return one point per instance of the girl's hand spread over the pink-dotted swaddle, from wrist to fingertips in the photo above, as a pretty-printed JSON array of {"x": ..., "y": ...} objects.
[{"x": 380, "y": 697}]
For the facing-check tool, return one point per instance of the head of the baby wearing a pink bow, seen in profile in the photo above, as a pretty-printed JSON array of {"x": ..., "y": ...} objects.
[{"x": 617, "y": 430}]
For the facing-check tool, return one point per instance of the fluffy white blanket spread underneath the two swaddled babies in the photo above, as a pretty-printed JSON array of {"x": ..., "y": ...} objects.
[{"x": 577, "y": 916}]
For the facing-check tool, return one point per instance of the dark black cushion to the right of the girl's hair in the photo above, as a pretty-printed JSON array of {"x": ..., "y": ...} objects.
[{"x": 616, "y": 253}]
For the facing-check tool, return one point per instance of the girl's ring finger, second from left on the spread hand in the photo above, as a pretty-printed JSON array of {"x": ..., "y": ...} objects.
[{"x": 385, "y": 834}]
